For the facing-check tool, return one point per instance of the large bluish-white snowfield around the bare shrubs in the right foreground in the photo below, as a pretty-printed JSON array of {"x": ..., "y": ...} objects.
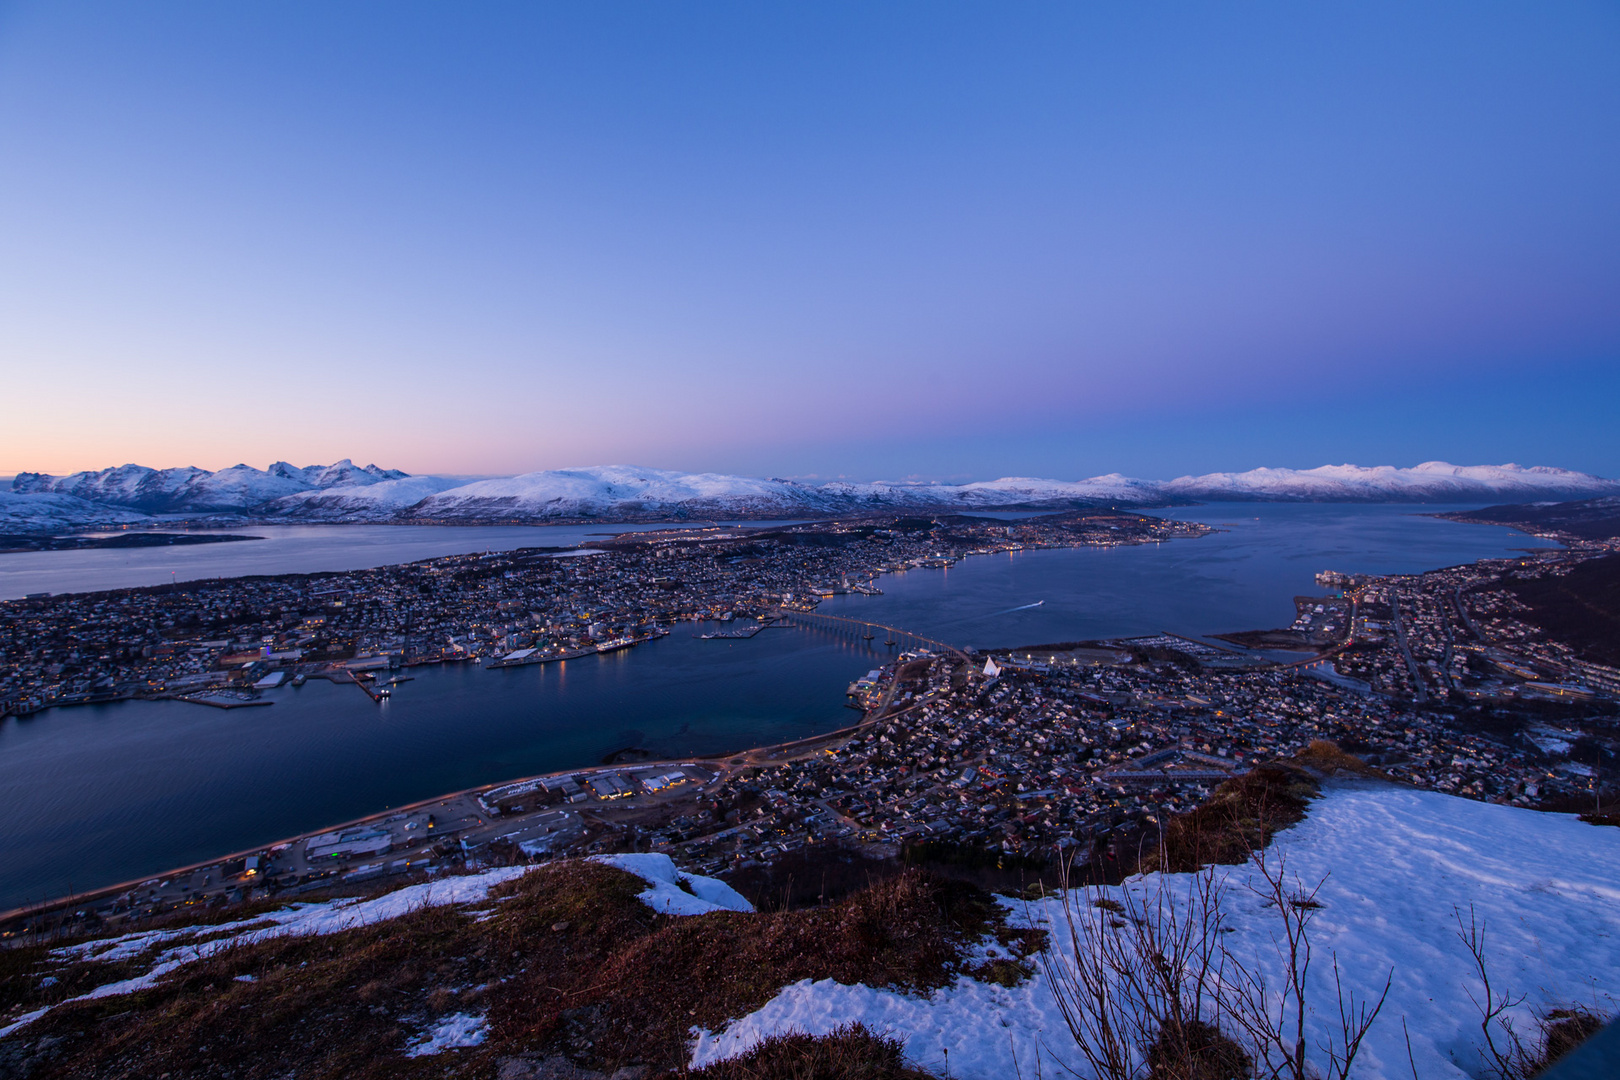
[{"x": 1397, "y": 864}]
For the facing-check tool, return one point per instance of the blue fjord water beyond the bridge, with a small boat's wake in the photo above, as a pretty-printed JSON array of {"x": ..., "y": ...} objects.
[{"x": 1242, "y": 577}]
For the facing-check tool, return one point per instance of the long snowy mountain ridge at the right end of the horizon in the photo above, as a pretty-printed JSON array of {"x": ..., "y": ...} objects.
[{"x": 1431, "y": 482}]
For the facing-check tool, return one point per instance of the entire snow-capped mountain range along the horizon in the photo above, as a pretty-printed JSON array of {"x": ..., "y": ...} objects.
[{"x": 134, "y": 495}]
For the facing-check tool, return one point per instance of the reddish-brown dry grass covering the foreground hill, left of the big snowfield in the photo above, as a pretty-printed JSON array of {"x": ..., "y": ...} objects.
[{"x": 566, "y": 961}]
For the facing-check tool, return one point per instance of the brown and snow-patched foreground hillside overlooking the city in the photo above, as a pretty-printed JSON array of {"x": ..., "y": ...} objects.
[{"x": 612, "y": 964}]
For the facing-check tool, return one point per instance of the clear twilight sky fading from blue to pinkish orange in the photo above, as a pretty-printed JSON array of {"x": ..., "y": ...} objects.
[{"x": 905, "y": 240}]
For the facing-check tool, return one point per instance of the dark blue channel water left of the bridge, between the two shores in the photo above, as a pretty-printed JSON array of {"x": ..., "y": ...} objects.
[{"x": 104, "y": 794}]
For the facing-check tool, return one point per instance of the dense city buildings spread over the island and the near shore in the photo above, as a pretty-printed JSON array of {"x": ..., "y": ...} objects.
[{"x": 1433, "y": 679}]
